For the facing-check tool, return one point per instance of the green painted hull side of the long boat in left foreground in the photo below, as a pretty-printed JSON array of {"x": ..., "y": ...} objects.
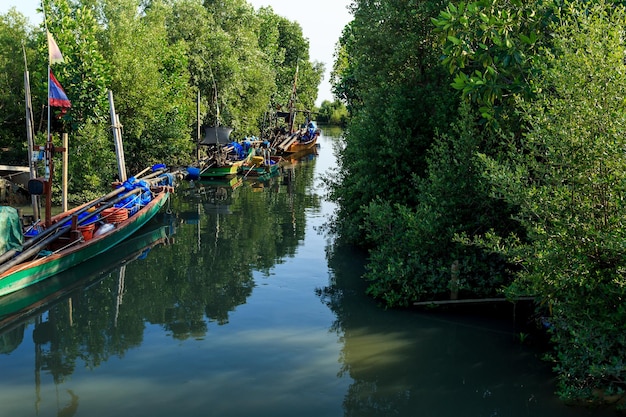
[{"x": 32, "y": 272}]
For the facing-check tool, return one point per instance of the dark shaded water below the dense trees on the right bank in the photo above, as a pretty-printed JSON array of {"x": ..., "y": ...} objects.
[{"x": 444, "y": 362}]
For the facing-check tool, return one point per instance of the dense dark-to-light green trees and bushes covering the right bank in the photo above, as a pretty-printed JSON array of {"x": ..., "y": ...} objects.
[{"x": 485, "y": 156}]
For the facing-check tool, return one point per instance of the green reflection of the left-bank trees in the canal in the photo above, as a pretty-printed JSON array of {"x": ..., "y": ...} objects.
[{"x": 205, "y": 273}]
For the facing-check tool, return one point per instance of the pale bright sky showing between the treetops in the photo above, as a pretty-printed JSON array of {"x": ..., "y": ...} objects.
[{"x": 322, "y": 22}]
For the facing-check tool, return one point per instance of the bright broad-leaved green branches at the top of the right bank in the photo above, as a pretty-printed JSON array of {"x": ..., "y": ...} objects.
[{"x": 489, "y": 46}]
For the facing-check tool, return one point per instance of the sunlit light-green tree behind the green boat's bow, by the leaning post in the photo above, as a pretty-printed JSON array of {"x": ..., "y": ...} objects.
[{"x": 151, "y": 83}]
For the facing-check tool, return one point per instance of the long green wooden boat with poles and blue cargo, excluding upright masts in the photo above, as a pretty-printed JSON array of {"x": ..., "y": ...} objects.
[{"x": 82, "y": 233}]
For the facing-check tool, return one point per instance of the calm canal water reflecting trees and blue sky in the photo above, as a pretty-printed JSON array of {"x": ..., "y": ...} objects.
[{"x": 234, "y": 303}]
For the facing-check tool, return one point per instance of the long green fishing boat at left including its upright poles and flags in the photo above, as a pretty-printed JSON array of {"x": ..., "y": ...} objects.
[{"x": 82, "y": 233}]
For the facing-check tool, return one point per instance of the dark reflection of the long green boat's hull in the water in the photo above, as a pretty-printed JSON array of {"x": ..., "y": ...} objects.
[{"x": 23, "y": 304}]
